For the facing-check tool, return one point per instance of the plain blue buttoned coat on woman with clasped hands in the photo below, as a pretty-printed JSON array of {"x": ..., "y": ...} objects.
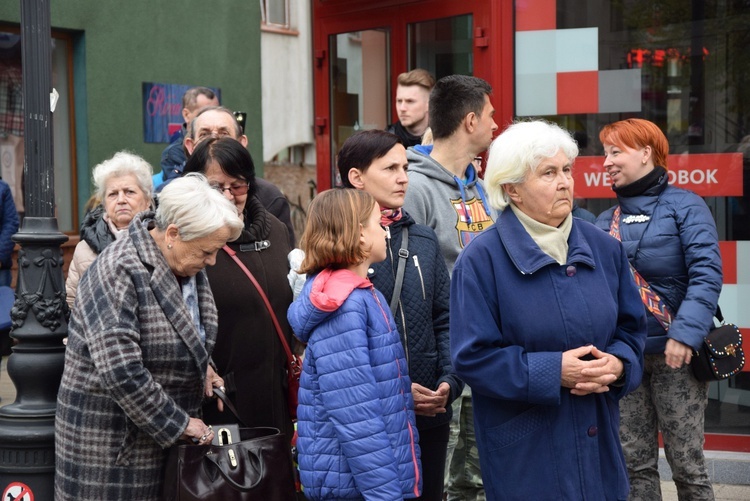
[{"x": 514, "y": 311}]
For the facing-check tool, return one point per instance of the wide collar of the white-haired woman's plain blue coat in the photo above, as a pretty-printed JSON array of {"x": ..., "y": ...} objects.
[{"x": 526, "y": 254}]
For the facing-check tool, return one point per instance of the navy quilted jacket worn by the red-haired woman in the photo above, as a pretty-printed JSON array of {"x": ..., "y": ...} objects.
[{"x": 676, "y": 249}]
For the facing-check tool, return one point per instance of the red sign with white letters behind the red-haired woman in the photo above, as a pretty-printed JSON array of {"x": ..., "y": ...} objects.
[{"x": 706, "y": 174}]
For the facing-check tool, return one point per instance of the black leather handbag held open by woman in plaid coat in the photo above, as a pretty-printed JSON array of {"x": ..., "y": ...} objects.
[{"x": 242, "y": 464}]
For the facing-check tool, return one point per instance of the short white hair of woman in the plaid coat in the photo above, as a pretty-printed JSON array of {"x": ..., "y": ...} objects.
[{"x": 196, "y": 209}]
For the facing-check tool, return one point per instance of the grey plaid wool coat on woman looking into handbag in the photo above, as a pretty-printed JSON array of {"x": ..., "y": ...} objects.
[{"x": 134, "y": 372}]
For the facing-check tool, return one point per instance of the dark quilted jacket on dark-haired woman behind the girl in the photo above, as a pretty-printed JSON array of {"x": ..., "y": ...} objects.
[{"x": 423, "y": 316}]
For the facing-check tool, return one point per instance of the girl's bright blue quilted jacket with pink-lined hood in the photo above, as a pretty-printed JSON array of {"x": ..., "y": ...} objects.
[{"x": 357, "y": 435}]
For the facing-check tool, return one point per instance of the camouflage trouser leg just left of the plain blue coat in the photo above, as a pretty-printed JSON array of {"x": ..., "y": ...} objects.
[{"x": 463, "y": 479}]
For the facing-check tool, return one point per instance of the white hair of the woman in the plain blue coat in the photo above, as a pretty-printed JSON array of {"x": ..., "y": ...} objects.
[{"x": 518, "y": 151}]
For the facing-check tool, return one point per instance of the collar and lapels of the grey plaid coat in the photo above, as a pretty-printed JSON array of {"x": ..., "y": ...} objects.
[{"x": 168, "y": 294}]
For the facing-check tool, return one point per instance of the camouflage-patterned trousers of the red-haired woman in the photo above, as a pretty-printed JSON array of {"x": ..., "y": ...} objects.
[{"x": 673, "y": 401}]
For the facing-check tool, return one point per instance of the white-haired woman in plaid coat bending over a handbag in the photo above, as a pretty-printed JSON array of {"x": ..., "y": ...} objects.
[{"x": 140, "y": 338}]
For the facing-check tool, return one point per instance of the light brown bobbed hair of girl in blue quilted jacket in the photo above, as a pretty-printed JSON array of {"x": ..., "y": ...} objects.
[{"x": 332, "y": 234}]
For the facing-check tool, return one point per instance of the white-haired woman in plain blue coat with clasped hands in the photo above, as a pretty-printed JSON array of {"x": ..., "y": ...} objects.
[{"x": 547, "y": 327}]
